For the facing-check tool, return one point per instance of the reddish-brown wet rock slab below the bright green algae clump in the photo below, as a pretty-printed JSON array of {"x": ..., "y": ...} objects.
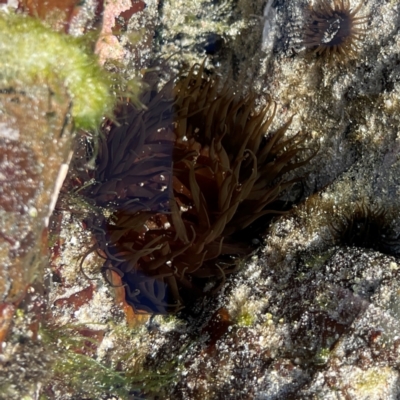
[{"x": 35, "y": 141}]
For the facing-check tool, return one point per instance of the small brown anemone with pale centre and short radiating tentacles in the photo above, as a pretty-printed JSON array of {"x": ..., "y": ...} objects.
[{"x": 333, "y": 29}]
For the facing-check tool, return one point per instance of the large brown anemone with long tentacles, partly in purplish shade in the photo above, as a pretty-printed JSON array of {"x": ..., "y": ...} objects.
[{"x": 184, "y": 175}]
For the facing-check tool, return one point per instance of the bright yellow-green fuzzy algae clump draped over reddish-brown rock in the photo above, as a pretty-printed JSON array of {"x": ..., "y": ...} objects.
[{"x": 34, "y": 54}]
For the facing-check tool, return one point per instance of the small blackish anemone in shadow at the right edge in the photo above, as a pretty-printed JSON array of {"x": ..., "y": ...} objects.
[{"x": 366, "y": 226}]
